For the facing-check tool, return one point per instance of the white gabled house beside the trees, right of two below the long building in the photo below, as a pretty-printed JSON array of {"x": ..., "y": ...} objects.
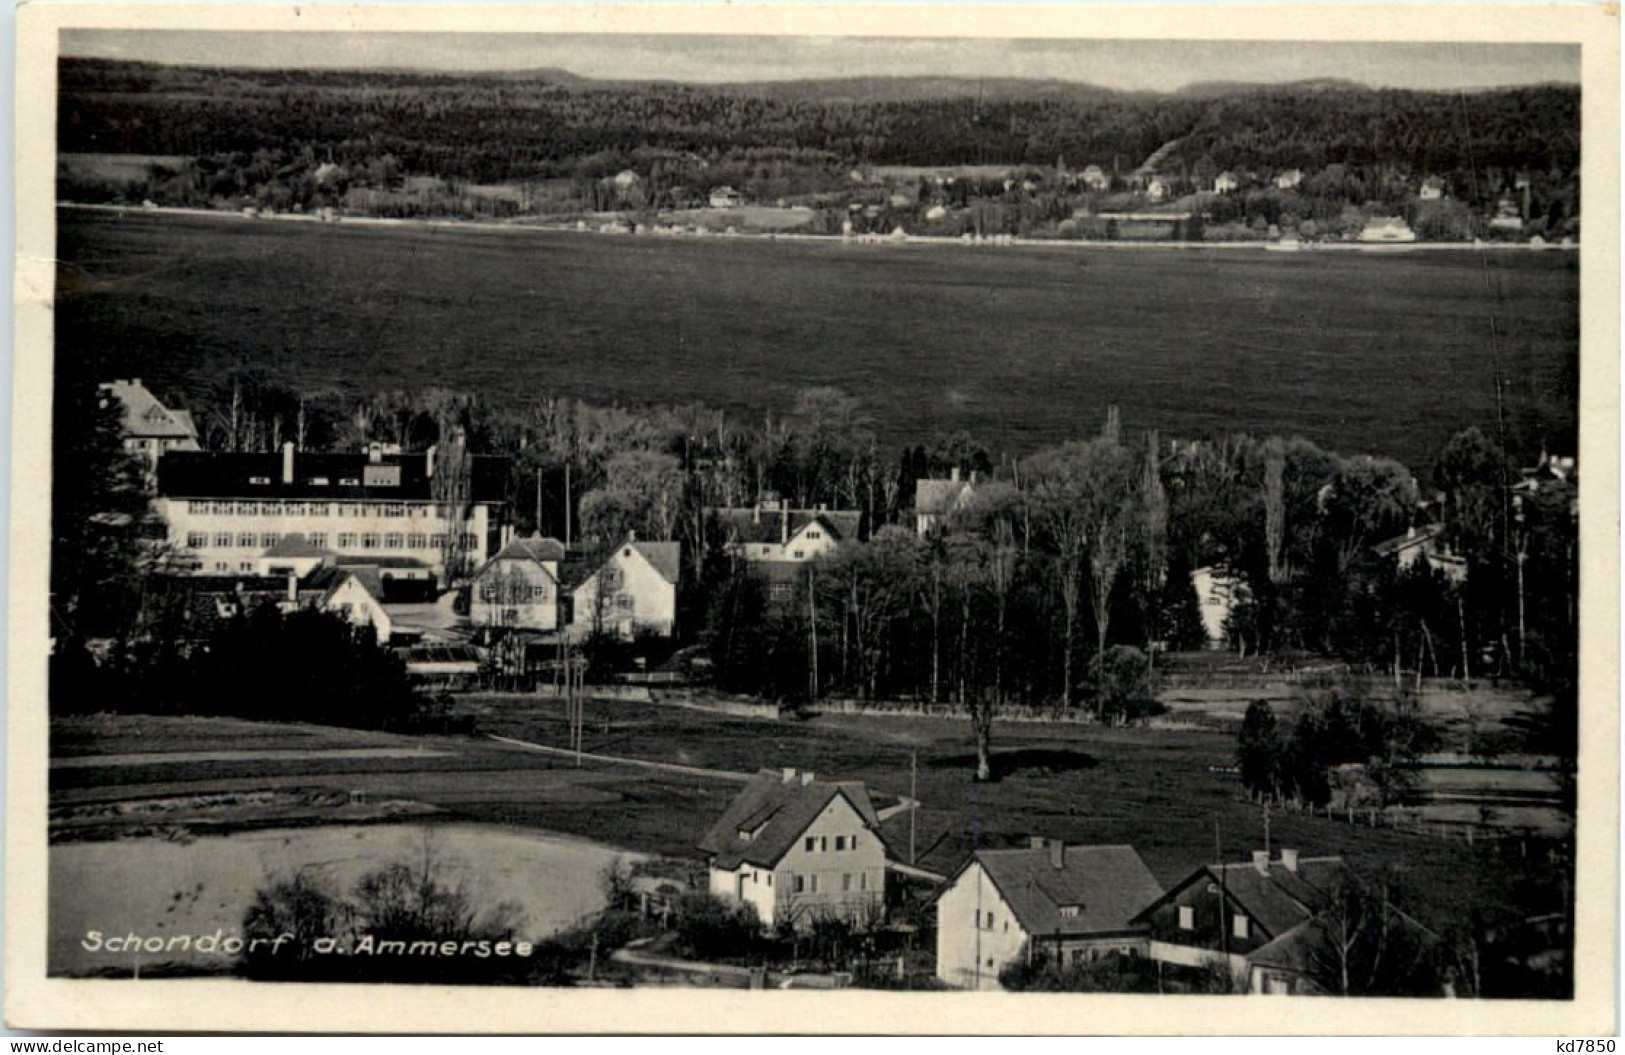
[{"x": 631, "y": 591}]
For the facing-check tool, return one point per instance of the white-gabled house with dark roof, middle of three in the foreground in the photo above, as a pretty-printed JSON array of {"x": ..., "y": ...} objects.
[{"x": 1070, "y": 905}]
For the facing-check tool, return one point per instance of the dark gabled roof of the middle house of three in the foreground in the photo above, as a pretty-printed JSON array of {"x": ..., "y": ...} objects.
[{"x": 1103, "y": 888}]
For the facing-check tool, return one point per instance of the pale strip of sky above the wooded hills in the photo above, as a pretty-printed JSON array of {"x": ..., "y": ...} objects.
[{"x": 1132, "y": 66}]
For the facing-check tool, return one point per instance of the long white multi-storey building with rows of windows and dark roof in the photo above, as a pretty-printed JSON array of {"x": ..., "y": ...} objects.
[{"x": 225, "y": 511}]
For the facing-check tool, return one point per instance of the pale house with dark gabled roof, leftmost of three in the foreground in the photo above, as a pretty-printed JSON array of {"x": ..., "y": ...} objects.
[{"x": 799, "y": 849}]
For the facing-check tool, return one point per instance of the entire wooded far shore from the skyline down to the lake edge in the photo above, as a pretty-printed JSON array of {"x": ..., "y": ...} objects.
[{"x": 414, "y": 145}]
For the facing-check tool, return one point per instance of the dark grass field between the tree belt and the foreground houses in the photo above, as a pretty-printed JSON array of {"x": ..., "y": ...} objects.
[{"x": 1153, "y": 789}]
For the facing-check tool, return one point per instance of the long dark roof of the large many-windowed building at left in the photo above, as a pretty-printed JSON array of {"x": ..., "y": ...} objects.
[{"x": 212, "y": 474}]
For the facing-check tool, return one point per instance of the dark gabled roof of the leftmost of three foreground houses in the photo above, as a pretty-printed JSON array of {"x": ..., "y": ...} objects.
[{"x": 776, "y": 812}]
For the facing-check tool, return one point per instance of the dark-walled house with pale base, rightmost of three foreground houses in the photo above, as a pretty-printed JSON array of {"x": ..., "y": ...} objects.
[{"x": 1252, "y": 919}]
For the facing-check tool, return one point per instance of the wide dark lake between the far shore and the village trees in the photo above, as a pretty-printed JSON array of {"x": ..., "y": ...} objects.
[{"x": 1023, "y": 347}]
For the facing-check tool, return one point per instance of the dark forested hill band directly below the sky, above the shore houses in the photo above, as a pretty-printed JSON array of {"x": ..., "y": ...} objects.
[{"x": 552, "y": 124}]
